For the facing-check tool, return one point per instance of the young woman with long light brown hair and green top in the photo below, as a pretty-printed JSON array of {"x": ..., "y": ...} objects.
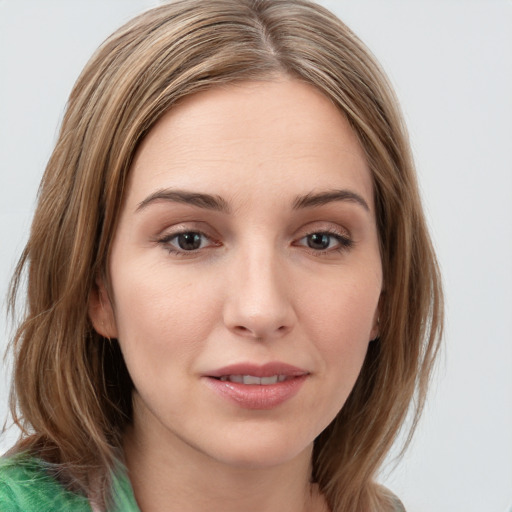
[{"x": 232, "y": 294}]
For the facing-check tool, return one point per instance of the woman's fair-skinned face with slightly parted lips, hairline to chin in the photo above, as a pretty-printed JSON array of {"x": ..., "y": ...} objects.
[{"x": 245, "y": 273}]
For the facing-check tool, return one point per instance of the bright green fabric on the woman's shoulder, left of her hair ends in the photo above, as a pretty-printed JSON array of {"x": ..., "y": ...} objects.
[{"x": 25, "y": 485}]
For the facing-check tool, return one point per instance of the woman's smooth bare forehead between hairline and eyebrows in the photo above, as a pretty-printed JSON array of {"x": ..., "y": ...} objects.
[{"x": 283, "y": 134}]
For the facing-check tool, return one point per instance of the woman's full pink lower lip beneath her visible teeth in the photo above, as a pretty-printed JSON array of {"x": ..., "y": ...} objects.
[{"x": 254, "y": 396}]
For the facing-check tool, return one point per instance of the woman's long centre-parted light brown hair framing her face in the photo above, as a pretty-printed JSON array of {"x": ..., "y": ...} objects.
[{"x": 71, "y": 393}]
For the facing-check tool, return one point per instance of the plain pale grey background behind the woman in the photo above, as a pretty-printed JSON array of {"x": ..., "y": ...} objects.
[{"x": 451, "y": 63}]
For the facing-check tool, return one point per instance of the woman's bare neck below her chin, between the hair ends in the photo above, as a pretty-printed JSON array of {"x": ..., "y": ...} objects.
[{"x": 169, "y": 472}]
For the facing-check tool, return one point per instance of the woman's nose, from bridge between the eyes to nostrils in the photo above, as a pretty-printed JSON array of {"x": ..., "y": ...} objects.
[{"x": 258, "y": 298}]
